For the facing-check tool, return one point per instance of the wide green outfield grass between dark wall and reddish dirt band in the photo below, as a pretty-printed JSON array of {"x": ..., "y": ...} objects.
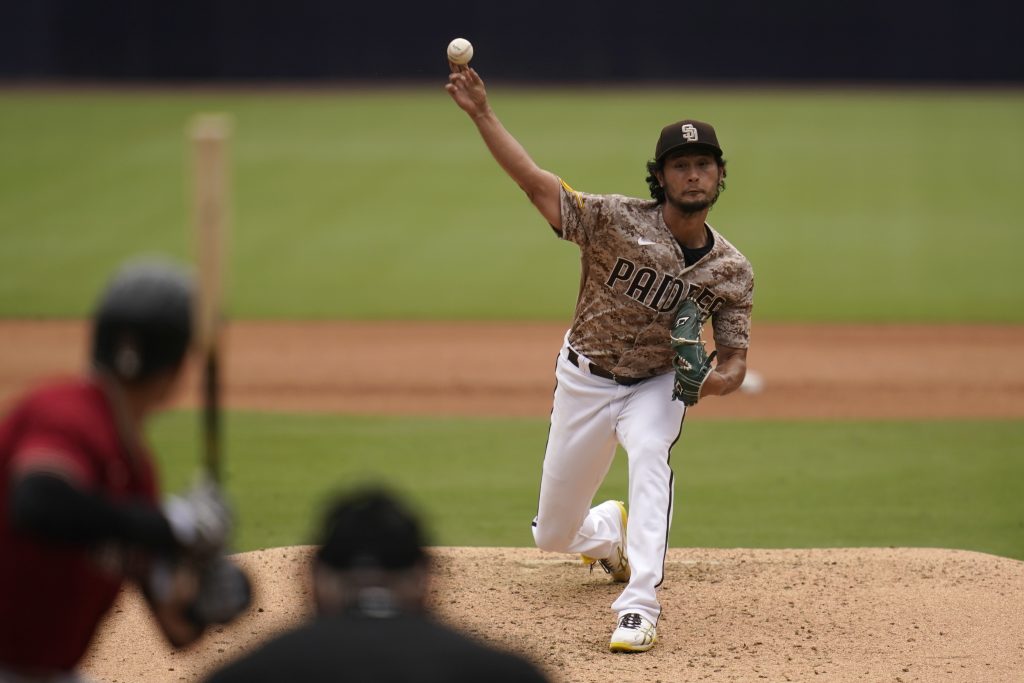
[{"x": 354, "y": 204}]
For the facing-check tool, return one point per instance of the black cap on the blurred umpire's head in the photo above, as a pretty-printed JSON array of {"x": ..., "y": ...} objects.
[{"x": 371, "y": 530}]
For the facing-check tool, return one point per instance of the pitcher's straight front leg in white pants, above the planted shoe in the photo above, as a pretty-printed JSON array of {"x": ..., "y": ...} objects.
[{"x": 649, "y": 426}]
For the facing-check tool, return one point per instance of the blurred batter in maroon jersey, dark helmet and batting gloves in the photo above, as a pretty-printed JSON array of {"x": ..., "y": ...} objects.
[{"x": 79, "y": 496}]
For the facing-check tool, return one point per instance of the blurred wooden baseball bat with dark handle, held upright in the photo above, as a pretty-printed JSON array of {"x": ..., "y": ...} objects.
[{"x": 210, "y": 135}]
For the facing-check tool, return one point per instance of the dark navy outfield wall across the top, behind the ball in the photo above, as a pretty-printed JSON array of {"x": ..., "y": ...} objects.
[{"x": 872, "y": 40}]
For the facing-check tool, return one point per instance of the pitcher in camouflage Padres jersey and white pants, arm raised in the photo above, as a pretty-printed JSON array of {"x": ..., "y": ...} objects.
[{"x": 654, "y": 272}]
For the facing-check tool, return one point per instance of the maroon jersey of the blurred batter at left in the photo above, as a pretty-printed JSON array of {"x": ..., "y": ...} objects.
[{"x": 53, "y": 596}]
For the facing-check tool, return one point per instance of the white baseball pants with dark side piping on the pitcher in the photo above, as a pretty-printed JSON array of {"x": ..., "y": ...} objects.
[{"x": 590, "y": 415}]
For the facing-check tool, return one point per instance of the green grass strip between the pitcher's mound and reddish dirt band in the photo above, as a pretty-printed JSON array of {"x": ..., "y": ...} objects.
[{"x": 759, "y": 485}]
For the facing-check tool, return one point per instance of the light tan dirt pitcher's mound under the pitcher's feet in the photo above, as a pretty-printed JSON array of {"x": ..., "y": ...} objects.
[{"x": 839, "y": 615}]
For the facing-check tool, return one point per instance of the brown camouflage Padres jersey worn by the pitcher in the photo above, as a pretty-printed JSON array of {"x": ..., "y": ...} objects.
[{"x": 633, "y": 278}]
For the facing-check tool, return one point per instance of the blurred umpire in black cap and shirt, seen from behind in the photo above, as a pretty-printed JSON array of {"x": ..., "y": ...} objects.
[{"x": 370, "y": 583}]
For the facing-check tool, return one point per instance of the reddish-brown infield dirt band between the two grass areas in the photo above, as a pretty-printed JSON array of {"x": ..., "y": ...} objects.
[{"x": 507, "y": 369}]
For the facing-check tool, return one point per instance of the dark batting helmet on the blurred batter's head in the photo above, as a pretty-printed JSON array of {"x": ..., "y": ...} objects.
[{"x": 144, "y": 321}]
